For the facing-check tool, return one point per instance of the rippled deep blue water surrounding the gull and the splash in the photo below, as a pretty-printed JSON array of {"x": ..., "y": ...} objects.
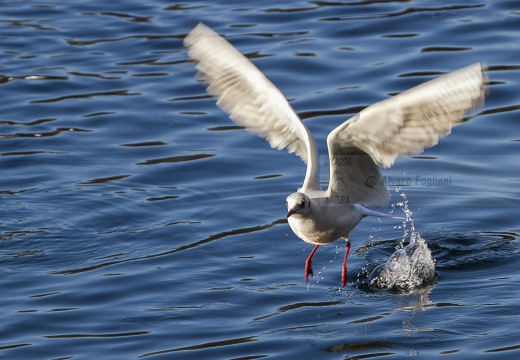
[{"x": 137, "y": 222}]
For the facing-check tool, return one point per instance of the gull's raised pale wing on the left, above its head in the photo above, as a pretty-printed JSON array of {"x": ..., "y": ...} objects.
[{"x": 250, "y": 99}]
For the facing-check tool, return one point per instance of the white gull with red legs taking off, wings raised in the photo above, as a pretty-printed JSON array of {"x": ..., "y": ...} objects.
[{"x": 404, "y": 124}]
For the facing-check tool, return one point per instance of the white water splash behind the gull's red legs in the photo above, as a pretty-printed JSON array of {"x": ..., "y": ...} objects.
[{"x": 410, "y": 266}]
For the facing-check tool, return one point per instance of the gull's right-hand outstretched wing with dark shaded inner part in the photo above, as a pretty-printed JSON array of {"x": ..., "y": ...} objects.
[{"x": 404, "y": 124}]
